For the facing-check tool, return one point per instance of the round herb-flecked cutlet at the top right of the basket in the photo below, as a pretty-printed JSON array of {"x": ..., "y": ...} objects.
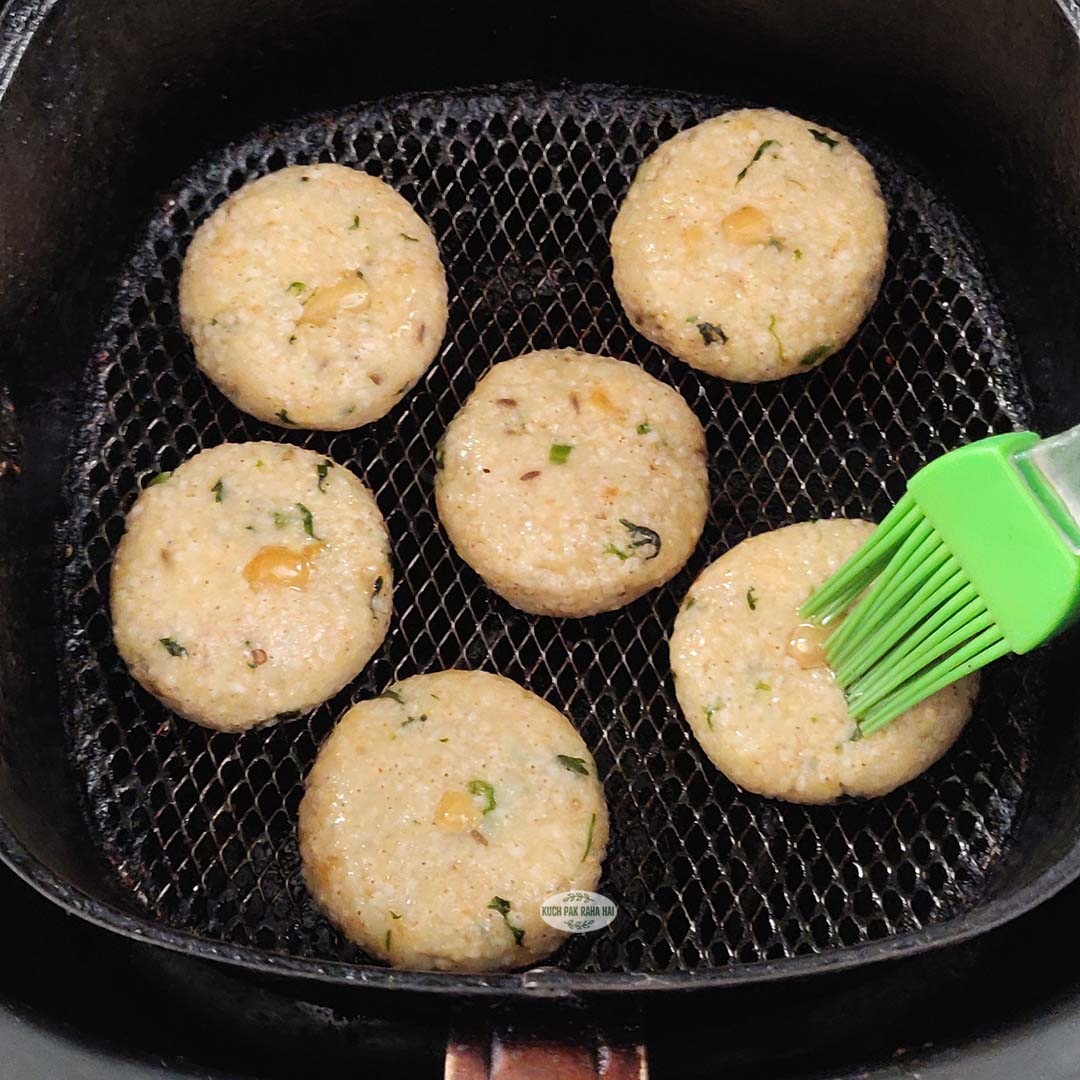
[{"x": 751, "y": 247}]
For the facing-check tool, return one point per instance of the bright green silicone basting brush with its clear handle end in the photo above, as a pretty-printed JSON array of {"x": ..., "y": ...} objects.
[{"x": 979, "y": 559}]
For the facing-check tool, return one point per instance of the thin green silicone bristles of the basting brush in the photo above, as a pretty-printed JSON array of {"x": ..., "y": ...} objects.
[{"x": 920, "y": 627}]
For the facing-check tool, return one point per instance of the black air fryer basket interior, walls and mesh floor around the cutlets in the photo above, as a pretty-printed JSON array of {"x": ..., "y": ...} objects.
[{"x": 521, "y": 186}]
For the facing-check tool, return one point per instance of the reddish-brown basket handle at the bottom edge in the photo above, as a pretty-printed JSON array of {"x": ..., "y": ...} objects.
[{"x": 515, "y": 1052}]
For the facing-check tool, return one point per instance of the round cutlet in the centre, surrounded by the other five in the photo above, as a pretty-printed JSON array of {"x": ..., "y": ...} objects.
[{"x": 573, "y": 484}]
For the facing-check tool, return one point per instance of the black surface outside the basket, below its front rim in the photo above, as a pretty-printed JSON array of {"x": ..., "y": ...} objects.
[{"x": 77, "y": 1002}]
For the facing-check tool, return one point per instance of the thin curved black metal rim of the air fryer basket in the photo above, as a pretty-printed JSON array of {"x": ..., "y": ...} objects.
[{"x": 19, "y": 24}]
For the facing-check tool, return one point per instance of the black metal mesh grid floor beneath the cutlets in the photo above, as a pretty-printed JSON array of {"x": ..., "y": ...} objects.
[{"x": 521, "y": 187}]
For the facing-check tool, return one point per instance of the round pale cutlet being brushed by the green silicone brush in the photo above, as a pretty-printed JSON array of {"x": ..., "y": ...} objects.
[{"x": 768, "y": 714}]
